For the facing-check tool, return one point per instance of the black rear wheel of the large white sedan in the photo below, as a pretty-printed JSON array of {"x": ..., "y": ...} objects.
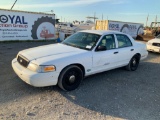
[{"x": 133, "y": 64}]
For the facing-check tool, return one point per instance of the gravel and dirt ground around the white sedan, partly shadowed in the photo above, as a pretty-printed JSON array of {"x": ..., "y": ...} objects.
[{"x": 113, "y": 95}]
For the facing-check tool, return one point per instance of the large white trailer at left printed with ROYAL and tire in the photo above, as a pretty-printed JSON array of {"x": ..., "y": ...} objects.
[{"x": 23, "y": 25}]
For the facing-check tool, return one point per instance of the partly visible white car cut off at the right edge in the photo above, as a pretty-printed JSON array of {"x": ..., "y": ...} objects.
[{"x": 154, "y": 44}]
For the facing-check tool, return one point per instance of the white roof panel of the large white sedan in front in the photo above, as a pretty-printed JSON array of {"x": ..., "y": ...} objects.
[{"x": 101, "y": 32}]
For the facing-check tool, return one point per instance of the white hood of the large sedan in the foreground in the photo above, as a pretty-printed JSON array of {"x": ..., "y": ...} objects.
[{"x": 49, "y": 50}]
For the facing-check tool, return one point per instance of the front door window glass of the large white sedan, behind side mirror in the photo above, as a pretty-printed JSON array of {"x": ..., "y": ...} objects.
[{"x": 108, "y": 41}]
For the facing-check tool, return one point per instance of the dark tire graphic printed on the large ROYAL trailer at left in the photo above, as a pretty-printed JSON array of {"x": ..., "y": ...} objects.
[{"x": 38, "y": 22}]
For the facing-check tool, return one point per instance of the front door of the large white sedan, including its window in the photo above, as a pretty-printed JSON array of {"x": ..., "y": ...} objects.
[{"x": 105, "y": 55}]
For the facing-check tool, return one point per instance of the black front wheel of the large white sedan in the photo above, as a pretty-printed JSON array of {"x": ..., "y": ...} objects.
[{"x": 70, "y": 78}]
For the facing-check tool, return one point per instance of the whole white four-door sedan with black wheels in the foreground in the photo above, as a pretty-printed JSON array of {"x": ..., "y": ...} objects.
[{"x": 82, "y": 54}]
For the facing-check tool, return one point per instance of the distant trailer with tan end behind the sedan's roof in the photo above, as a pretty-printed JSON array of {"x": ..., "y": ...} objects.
[{"x": 132, "y": 29}]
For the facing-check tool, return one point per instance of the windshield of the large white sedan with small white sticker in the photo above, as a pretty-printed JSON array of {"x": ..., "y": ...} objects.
[{"x": 82, "y": 40}]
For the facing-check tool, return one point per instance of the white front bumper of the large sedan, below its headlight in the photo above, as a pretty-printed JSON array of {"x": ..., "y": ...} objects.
[{"x": 34, "y": 78}]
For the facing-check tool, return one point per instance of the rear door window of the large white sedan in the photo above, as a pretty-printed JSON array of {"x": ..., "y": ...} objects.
[{"x": 123, "y": 41}]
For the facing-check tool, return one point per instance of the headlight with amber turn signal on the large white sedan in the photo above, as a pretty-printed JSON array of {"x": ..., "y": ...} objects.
[{"x": 42, "y": 68}]
